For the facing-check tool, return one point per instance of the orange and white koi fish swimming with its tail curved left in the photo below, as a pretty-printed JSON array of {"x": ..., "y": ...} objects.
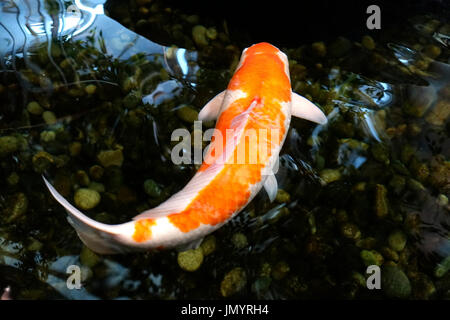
[{"x": 258, "y": 97}]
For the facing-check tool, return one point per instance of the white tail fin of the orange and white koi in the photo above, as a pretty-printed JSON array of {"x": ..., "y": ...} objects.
[{"x": 99, "y": 237}]
